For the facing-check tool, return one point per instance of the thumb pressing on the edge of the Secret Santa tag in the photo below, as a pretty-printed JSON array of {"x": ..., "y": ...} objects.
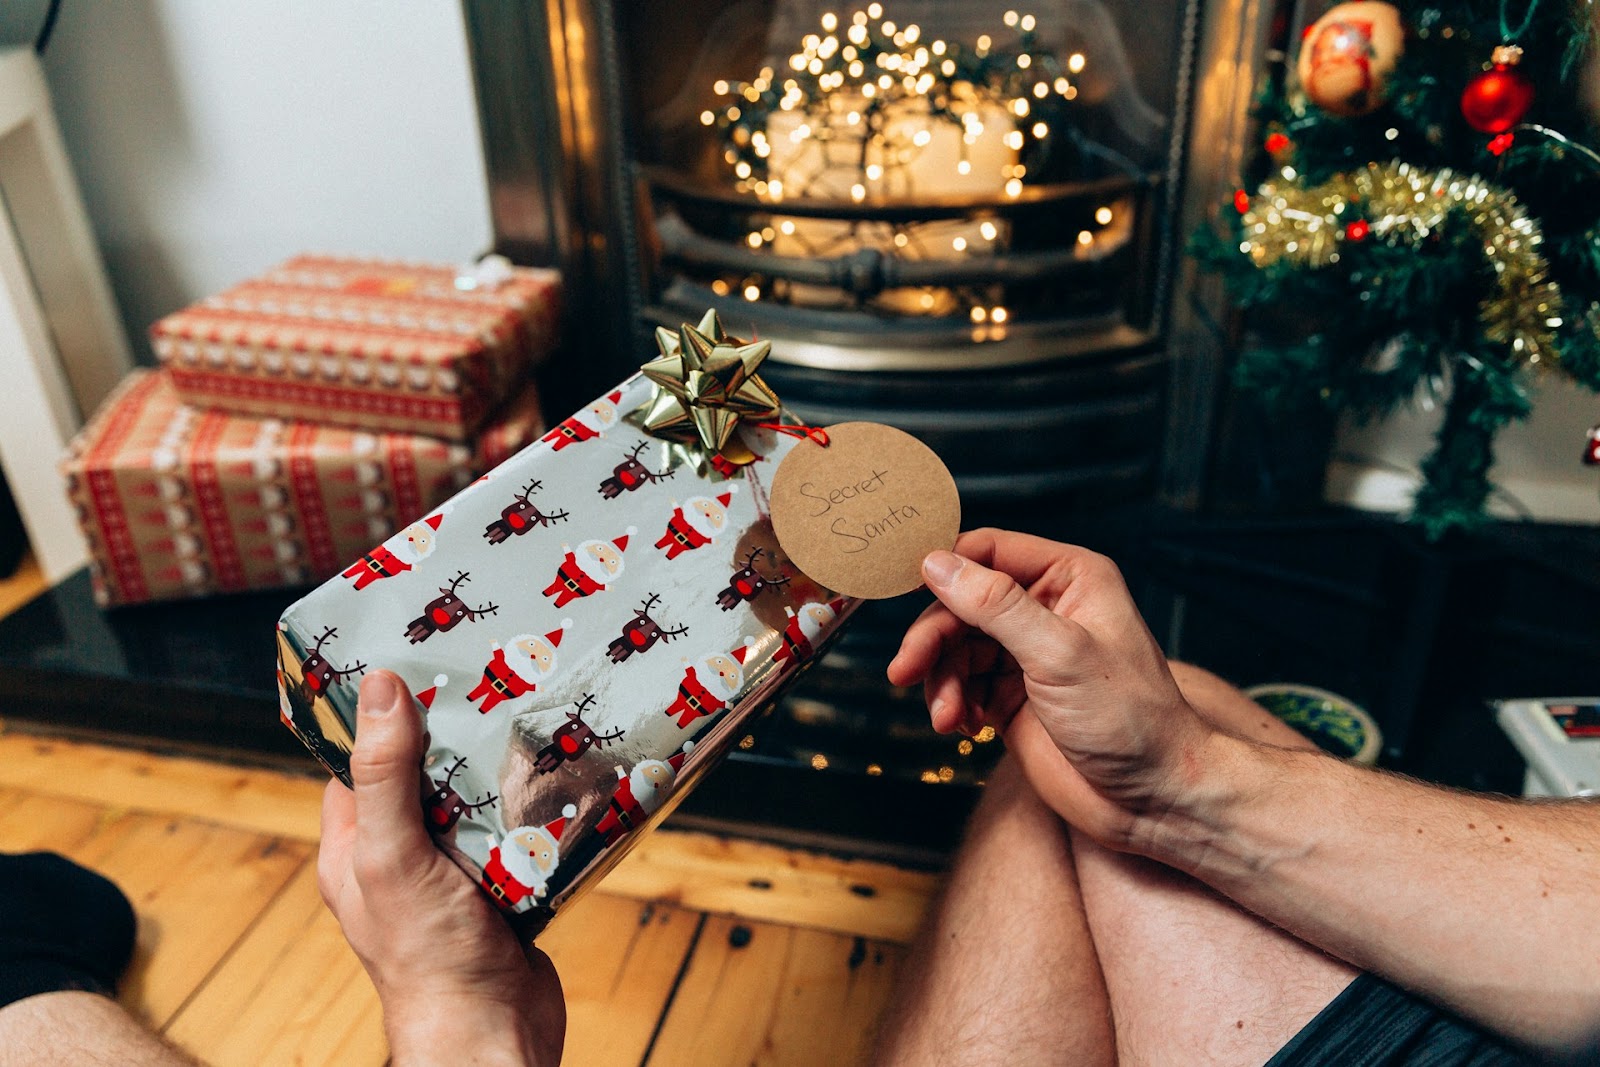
[{"x": 998, "y": 605}]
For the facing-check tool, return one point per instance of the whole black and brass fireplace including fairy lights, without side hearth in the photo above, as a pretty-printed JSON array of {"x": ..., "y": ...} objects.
[{"x": 956, "y": 217}]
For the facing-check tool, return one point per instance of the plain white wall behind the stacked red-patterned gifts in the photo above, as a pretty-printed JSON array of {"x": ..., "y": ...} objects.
[{"x": 214, "y": 138}]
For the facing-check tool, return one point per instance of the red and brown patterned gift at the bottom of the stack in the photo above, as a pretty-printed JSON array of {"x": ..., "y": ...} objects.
[{"x": 178, "y": 503}]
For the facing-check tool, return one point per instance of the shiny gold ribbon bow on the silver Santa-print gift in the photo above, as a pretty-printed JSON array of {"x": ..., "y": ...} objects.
[{"x": 705, "y": 385}]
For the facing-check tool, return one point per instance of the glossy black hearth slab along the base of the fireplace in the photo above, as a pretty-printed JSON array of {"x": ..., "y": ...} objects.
[{"x": 1420, "y": 634}]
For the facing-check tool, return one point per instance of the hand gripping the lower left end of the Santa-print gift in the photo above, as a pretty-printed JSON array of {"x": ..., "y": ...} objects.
[{"x": 455, "y": 983}]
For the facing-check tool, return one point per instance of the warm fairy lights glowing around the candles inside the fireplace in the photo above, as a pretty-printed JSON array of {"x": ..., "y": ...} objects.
[{"x": 870, "y": 111}]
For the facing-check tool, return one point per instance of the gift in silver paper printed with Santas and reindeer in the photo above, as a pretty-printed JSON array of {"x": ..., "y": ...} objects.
[{"x": 590, "y": 629}]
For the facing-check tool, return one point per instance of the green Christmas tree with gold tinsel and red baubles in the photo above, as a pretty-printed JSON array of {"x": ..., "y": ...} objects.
[{"x": 1425, "y": 218}]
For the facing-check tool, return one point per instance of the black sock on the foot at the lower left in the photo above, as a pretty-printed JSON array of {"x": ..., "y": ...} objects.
[{"x": 62, "y": 927}]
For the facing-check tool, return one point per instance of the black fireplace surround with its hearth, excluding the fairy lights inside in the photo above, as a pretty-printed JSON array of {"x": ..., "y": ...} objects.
[{"x": 1089, "y": 415}]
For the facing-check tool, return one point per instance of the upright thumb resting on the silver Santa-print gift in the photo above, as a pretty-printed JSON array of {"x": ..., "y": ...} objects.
[{"x": 385, "y": 772}]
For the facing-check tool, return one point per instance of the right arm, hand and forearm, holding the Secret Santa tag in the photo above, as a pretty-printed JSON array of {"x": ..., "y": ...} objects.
[{"x": 1486, "y": 903}]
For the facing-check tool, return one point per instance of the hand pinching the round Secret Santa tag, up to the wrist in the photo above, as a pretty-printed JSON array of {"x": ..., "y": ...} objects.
[{"x": 1044, "y": 642}]
